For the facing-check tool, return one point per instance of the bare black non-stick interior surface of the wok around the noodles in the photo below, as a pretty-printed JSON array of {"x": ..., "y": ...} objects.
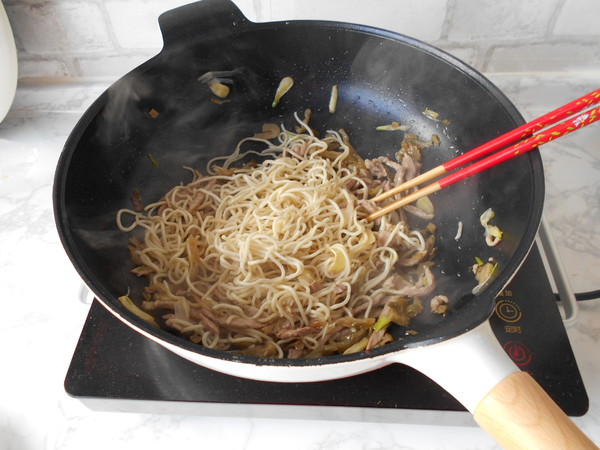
[{"x": 381, "y": 78}]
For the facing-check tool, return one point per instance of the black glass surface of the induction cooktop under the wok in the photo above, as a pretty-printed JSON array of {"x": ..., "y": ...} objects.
[{"x": 113, "y": 362}]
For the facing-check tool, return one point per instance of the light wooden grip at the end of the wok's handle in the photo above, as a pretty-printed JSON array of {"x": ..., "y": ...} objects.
[{"x": 519, "y": 414}]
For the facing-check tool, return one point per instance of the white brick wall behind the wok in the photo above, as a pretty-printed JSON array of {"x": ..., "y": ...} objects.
[{"x": 107, "y": 38}]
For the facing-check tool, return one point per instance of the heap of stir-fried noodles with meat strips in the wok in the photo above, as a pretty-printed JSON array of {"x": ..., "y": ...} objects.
[{"x": 268, "y": 252}]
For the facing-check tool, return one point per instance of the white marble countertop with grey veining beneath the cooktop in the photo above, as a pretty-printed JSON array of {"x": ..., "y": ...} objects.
[{"x": 41, "y": 323}]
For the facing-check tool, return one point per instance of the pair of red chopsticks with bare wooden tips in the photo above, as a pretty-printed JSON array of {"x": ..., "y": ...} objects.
[{"x": 522, "y": 146}]
